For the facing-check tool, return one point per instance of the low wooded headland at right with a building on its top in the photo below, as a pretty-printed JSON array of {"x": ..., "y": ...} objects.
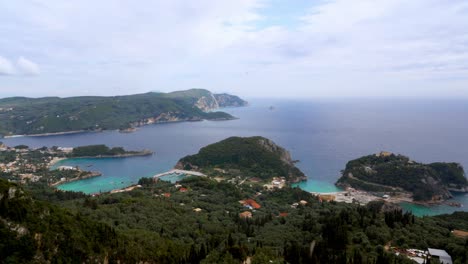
[{"x": 388, "y": 172}]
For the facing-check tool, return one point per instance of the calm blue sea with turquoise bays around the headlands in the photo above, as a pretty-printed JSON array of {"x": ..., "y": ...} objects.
[{"x": 323, "y": 134}]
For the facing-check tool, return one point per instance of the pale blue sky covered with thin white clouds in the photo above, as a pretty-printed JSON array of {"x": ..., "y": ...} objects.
[{"x": 251, "y": 48}]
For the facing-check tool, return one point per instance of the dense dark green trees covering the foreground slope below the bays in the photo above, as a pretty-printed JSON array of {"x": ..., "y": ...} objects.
[{"x": 145, "y": 225}]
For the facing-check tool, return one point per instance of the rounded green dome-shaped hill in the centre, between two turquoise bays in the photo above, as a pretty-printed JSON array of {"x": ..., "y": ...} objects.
[{"x": 249, "y": 157}]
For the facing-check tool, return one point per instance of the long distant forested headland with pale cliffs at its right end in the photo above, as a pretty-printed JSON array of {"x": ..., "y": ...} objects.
[{"x": 28, "y": 116}]
